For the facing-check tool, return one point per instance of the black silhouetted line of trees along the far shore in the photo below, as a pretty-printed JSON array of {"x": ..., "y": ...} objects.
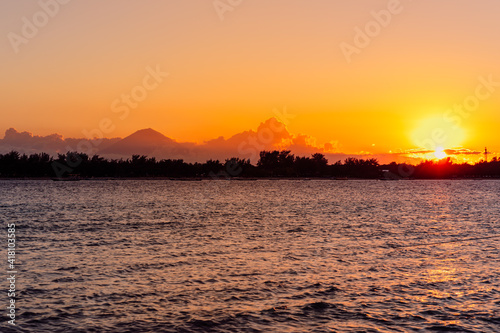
[{"x": 271, "y": 164}]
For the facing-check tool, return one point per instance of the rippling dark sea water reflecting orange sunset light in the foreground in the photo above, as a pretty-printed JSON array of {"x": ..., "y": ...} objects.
[{"x": 254, "y": 256}]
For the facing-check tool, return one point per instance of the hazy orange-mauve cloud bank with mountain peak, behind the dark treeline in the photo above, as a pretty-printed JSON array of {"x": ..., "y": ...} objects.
[{"x": 269, "y": 135}]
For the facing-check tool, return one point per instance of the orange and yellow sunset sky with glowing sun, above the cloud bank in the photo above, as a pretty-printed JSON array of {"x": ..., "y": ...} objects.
[{"x": 420, "y": 73}]
